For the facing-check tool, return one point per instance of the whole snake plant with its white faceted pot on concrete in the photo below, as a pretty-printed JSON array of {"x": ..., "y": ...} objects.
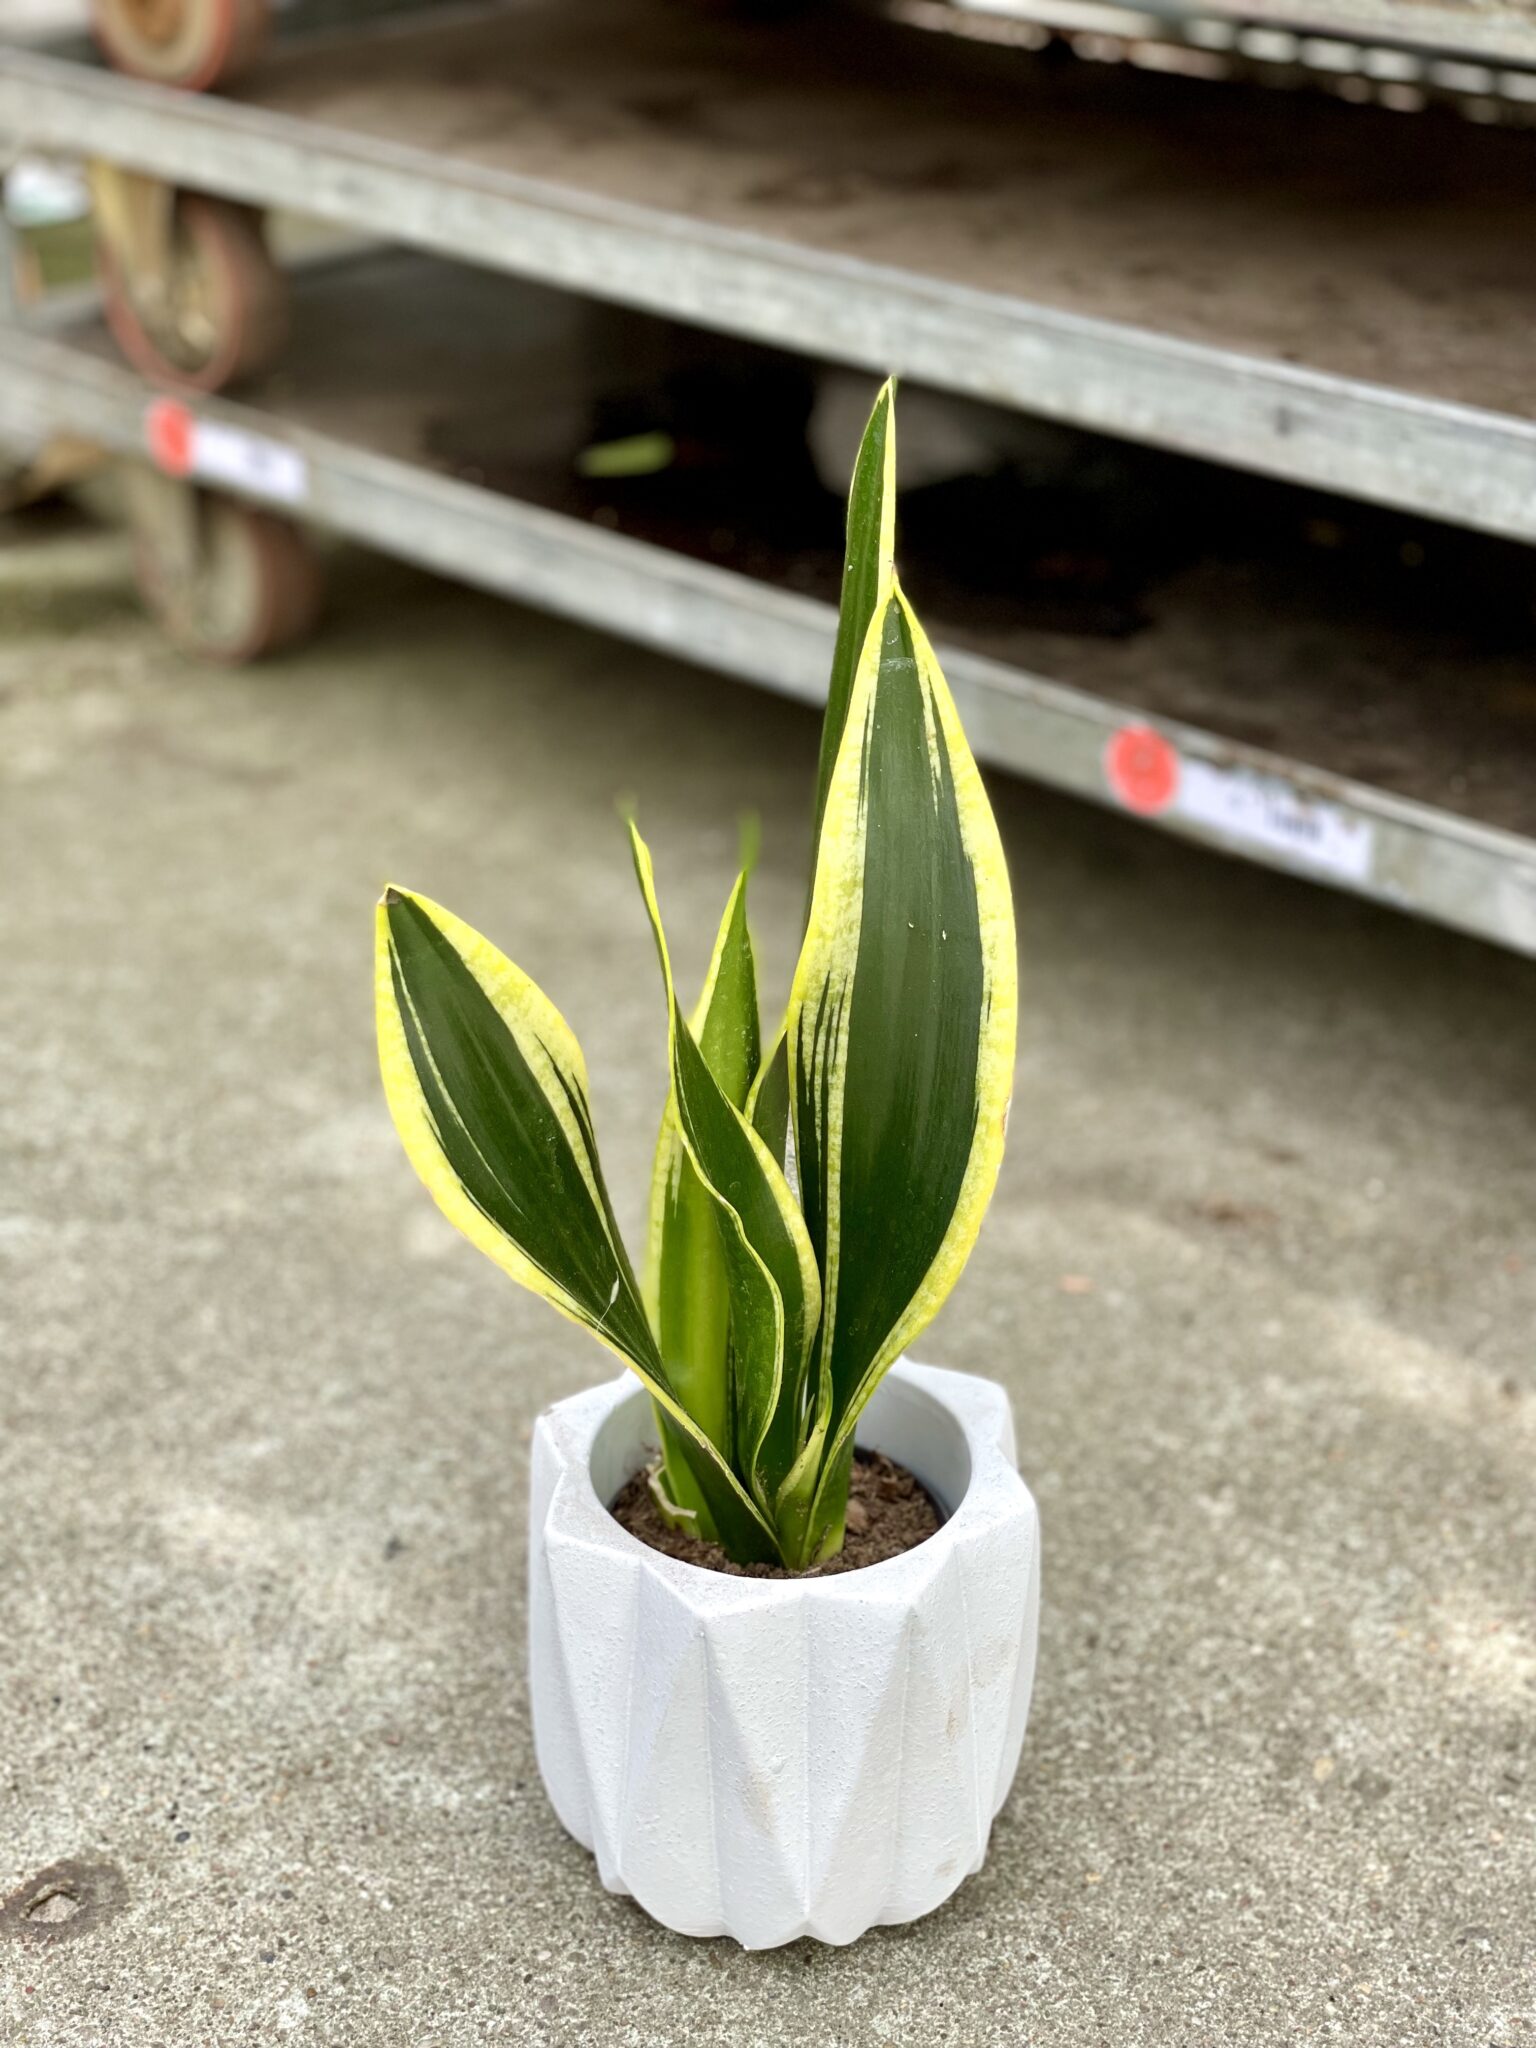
[{"x": 763, "y": 1719}]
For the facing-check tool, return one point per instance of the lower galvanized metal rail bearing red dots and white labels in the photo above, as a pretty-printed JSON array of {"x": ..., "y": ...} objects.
[{"x": 1240, "y": 800}]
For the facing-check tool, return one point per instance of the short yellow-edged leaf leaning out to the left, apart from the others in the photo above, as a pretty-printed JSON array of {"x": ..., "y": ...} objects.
[{"x": 490, "y": 1099}]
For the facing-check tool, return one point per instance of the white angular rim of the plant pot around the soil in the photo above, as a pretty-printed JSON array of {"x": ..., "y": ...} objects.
[{"x": 974, "y": 1406}]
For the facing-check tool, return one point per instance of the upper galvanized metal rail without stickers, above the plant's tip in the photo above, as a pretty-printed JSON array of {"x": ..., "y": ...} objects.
[{"x": 1390, "y": 447}]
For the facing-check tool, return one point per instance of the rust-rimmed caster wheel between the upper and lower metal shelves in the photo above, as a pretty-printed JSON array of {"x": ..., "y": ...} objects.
[{"x": 220, "y": 308}]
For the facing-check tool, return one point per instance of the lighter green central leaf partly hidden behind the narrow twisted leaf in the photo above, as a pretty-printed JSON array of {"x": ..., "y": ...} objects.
[{"x": 687, "y": 1293}]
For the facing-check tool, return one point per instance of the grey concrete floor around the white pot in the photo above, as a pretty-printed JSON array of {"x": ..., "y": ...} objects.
[{"x": 1261, "y": 1279}]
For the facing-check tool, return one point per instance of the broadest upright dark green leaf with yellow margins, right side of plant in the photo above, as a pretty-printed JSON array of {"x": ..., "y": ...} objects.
[{"x": 900, "y": 1021}]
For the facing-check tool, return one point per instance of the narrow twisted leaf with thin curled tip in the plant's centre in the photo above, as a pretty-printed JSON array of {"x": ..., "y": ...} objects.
[{"x": 771, "y": 1271}]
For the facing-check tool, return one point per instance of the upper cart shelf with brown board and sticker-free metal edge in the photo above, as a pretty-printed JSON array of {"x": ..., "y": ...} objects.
[{"x": 1312, "y": 292}]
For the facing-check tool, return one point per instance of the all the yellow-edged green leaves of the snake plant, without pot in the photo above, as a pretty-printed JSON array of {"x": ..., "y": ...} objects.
[{"x": 767, "y": 1322}]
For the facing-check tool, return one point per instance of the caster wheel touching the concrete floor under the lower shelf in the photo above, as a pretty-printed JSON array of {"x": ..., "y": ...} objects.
[{"x": 228, "y": 583}]
